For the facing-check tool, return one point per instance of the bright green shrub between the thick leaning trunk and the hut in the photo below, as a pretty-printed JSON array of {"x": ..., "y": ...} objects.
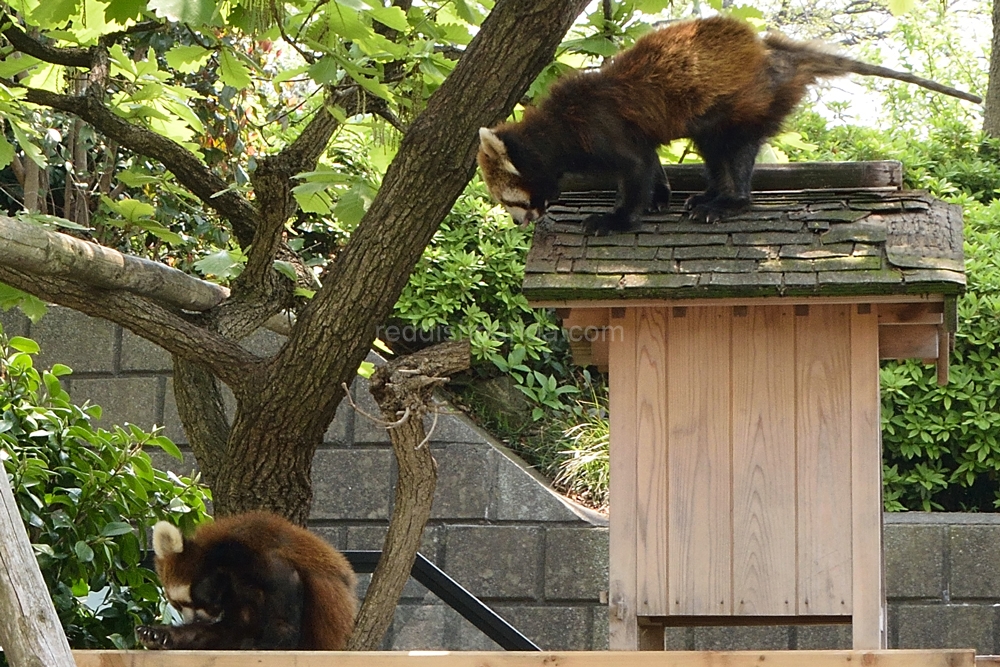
[{"x": 468, "y": 285}]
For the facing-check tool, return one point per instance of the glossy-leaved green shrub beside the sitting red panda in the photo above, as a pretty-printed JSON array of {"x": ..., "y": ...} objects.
[{"x": 87, "y": 497}]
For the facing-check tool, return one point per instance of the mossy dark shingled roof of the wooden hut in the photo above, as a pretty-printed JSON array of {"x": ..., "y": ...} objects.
[{"x": 857, "y": 233}]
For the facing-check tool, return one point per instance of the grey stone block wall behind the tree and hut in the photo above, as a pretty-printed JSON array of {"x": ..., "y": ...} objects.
[{"x": 497, "y": 529}]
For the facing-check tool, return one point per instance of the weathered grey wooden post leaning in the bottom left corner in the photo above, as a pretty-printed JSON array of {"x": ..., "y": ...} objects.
[{"x": 30, "y": 632}]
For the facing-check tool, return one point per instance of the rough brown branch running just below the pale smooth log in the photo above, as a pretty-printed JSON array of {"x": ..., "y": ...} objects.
[{"x": 168, "y": 329}]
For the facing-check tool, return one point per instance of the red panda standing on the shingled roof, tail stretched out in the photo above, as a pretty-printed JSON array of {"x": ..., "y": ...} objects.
[{"x": 713, "y": 80}]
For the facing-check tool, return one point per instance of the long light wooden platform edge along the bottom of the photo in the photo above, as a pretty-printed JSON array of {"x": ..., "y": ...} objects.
[{"x": 916, "y": 658}]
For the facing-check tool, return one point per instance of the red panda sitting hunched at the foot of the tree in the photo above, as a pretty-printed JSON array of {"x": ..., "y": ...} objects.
[{"x": 252, "y": 581}]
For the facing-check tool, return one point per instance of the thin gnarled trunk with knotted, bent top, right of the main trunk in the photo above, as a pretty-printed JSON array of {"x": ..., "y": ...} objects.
[{"x": 403, "y": 389}]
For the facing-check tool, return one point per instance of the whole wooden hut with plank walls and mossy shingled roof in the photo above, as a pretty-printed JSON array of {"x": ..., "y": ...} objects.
[{"x": 743, "y": 358}]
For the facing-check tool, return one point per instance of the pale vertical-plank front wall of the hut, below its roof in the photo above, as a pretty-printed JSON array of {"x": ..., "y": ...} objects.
[{"x": 749, "y": 419}]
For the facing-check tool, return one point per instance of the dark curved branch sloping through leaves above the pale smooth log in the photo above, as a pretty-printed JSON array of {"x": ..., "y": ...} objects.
[{"x": 190, "y": 171}]
